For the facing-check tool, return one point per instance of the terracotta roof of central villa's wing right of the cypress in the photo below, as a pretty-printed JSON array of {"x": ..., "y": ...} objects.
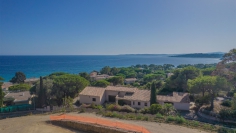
[{"x": 176, "y": 97}]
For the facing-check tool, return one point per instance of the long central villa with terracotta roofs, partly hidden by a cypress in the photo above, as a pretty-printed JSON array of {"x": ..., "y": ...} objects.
[{"x": 131, "y": 96}]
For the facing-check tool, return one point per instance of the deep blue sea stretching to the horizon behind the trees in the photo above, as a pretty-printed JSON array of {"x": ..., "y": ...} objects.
[{"x": 35, "y": 66}]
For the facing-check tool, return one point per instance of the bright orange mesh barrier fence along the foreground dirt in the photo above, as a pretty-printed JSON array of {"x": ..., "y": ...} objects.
[{"x": 101, "y": 122}]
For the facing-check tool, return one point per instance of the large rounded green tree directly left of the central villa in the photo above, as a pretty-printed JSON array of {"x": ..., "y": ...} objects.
[{"x": 68, "y": 85}]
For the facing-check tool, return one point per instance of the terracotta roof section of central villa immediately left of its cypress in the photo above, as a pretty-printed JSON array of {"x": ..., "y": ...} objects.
[{"x": 139, "y": 95}]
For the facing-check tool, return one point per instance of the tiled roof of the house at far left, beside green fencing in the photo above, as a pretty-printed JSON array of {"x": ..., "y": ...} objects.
[{"x": 19, "y": 96}]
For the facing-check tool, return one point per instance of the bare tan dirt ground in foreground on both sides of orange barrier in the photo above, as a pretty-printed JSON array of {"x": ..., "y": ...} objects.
[{"x": 37, "y": 124}]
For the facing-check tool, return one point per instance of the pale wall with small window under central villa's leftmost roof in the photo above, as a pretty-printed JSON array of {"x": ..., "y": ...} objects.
[{"x": 89, "y": 99}]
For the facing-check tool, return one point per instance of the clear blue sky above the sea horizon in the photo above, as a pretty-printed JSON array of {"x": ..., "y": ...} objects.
[{"x": 107, "y": 27}]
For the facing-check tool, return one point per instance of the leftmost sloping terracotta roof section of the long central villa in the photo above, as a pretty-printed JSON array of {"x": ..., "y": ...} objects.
[{"x": 93, "y": 91}]
